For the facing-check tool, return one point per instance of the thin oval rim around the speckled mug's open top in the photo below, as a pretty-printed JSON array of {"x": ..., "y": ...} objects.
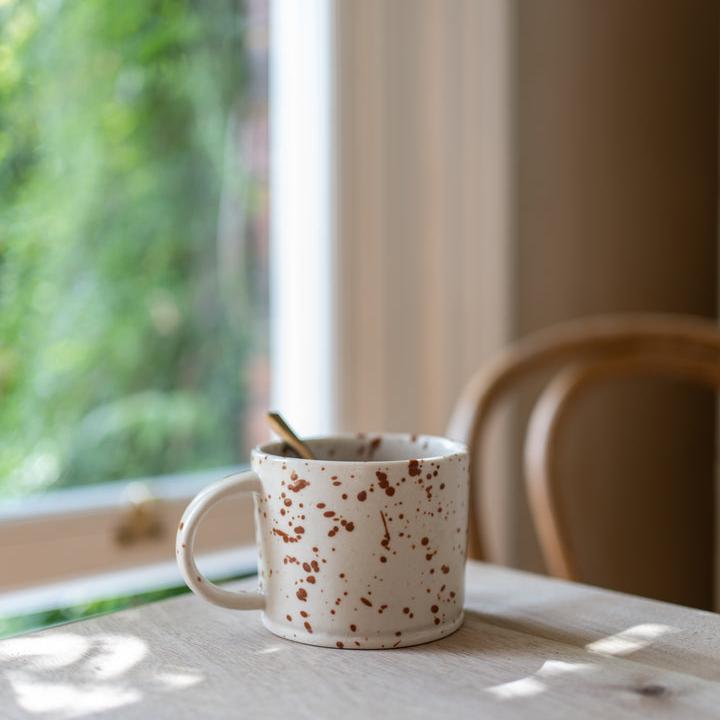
[{"x": 452, "y": 448}]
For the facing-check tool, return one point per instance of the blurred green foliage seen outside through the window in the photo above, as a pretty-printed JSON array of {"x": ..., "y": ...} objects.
[{"x": 123, "y": 334}]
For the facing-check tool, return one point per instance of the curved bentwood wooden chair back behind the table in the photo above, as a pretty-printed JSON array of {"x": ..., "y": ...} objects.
[{"x": 580, "y": 353}]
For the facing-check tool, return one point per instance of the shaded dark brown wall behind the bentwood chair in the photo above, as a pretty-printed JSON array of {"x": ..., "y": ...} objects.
[{"x": 616, "y": 194}]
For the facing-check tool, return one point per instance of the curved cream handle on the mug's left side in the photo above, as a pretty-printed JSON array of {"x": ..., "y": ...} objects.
[{"x": 234, "y": 484}]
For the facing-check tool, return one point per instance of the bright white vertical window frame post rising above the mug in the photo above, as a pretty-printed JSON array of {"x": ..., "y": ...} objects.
[{"x": 303, "y": 265}]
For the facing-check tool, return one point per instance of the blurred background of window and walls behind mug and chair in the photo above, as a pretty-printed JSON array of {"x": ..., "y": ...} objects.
[{"x": 343, "y": 210}]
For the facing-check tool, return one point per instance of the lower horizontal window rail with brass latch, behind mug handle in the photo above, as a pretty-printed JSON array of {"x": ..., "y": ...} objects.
[{"x": 73, "y": 532}]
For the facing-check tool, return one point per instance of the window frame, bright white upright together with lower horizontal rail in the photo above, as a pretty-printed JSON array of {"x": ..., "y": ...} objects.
[{"x": 68, "y": 534}]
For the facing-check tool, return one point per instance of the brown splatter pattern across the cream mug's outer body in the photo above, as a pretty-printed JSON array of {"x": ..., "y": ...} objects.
[{"x": 412, "y": 528}]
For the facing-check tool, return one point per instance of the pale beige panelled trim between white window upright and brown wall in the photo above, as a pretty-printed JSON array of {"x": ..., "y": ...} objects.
[{"x": 422, "y": 133}]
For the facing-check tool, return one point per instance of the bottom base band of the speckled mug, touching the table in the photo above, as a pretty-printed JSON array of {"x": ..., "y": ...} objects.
[{"x": 341, "y": 642}]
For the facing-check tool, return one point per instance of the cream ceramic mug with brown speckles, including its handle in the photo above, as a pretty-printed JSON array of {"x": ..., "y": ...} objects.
[{"x": 362, "y": 548}]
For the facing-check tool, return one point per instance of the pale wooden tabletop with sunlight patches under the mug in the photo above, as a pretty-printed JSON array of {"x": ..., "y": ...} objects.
[{"x": 531, "y": 647}]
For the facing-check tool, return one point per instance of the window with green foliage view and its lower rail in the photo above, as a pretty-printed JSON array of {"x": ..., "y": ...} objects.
[{"x": 133, "y": 271}]
